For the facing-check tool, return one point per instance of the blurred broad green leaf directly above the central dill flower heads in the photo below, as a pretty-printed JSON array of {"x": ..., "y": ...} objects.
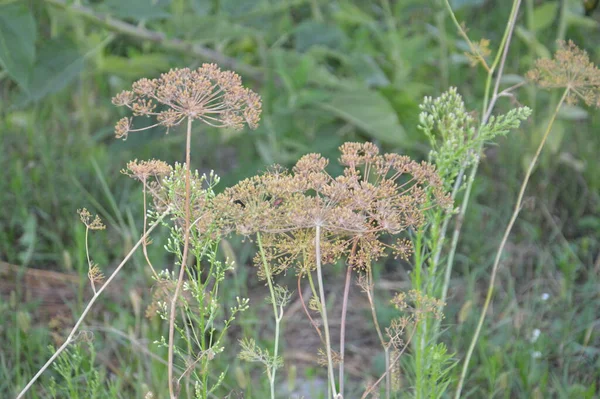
[{"x": 369, "y": 111}]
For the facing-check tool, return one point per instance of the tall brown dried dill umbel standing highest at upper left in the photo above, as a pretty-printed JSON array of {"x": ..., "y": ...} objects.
[{"x": 207, "y": 94}]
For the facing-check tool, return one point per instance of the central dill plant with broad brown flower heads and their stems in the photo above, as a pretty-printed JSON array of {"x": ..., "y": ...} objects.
[{"x": 306, "y": 219}]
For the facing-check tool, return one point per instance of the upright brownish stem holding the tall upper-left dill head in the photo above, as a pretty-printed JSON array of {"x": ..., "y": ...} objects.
[{"x": 186, "y": 244}]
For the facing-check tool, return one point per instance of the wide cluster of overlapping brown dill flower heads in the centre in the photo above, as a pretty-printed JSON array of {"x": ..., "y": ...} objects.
[{"x": 376, "y": 195}]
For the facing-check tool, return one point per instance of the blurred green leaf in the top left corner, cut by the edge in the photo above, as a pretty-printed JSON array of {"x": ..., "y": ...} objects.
[{"x": 17, "y": 42}]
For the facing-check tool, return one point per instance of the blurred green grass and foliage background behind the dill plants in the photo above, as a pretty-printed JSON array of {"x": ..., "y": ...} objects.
[{"x": 328, "y": 72}]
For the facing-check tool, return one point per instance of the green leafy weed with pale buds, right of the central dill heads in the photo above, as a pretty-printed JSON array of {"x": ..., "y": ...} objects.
[{"x": 454, "y": 140}]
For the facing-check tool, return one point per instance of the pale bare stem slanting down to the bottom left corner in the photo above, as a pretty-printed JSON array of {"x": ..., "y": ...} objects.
[{"x": 71, "y": 335}]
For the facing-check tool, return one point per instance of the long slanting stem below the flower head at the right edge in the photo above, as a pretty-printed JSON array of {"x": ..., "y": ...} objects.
[{"x": 509, "y": 227}]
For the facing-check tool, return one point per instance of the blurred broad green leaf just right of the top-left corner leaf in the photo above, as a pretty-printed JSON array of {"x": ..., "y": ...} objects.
[{"x": 58, "y": 64}]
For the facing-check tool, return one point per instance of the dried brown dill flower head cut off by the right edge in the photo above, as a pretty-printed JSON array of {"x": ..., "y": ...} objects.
[{"x": 571, "y": 69}]
